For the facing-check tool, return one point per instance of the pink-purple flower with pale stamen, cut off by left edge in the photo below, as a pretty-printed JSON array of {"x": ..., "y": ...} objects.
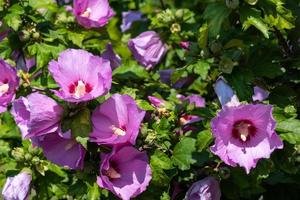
[{"x": 9, "y": 83}]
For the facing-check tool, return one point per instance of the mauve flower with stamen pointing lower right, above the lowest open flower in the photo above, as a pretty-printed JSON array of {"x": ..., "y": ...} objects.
[{"x": 116, "y": 121}]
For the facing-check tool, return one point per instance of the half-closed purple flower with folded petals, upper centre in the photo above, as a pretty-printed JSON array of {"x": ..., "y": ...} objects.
[{"x": 147, "y": 48}]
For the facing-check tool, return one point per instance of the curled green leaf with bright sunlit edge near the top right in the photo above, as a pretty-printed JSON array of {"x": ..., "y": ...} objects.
[{"x": 252, "y": 17}]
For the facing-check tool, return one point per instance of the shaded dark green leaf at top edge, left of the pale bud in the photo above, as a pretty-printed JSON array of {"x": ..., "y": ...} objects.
[{"x": 215, "y": 14}]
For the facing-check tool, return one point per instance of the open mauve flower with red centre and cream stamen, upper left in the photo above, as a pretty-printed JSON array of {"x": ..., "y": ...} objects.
[{"x": 80, "y": 75}]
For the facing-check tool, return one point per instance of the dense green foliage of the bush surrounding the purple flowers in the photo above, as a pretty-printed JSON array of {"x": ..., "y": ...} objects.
[{"x": 247, "y": 42}]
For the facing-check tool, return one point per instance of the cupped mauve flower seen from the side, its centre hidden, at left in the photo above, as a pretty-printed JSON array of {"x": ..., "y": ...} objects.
[{"x": 36, "y": 115}]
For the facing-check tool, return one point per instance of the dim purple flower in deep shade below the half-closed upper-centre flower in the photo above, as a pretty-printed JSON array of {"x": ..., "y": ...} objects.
[{"x": 165, "y": 77}]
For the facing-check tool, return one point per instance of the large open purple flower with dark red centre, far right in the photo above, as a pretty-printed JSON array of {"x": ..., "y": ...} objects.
[{"x": 244, "y": 134}]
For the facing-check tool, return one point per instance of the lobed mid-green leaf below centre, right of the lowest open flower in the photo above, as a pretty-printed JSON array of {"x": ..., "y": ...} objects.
[{"x": 182, "y": 153}]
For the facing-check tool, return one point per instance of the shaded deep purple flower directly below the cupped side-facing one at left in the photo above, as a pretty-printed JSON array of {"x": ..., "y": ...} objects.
[{"x": 61, "y": 149}]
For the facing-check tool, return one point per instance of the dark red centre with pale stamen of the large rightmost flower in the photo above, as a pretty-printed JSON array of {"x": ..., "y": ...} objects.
[{"x": 243, "y": 130}]
